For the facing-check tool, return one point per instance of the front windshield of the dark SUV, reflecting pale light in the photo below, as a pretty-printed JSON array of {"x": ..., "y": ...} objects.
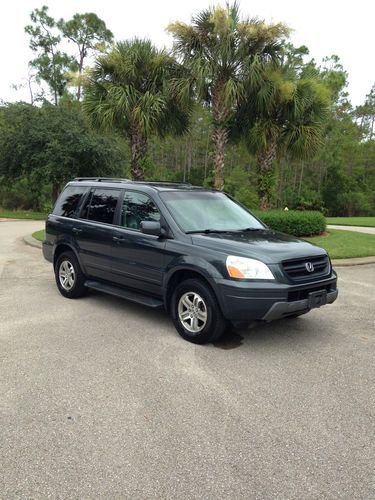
[{"x": 205, "y": 211}]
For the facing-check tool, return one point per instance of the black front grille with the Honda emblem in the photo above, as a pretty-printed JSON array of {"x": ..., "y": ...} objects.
[{"x": 306, "y": 267}]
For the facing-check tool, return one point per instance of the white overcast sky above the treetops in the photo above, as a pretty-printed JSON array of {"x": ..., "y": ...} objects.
[{"x": 344, "y": 28}]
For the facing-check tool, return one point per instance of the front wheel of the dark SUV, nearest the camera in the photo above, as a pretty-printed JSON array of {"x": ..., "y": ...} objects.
[{"x": 194, "y": 300}]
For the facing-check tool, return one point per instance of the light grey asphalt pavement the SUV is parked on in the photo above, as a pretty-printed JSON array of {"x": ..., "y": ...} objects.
[{"x": 100, "y": 398}]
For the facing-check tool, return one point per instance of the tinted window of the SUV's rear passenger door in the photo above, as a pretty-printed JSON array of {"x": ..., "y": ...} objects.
[{"x": 101, "y": 206}]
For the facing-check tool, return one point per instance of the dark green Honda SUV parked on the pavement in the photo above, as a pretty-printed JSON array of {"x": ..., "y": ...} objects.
[{"x": 196, "y": 252}]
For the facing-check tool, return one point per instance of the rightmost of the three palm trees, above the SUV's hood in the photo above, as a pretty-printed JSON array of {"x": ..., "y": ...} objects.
[{"x": 287, "y": 115}]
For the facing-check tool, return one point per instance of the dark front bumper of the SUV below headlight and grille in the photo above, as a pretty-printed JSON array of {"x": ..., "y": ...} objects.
[{"x": 268, "y": 300}]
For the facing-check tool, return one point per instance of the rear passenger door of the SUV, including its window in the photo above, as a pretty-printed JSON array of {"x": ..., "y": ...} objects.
[{"x": 94, "y": 231}]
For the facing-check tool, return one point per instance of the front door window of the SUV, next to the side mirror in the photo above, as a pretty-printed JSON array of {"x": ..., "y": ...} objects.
[{"x": 136, "y": 208}]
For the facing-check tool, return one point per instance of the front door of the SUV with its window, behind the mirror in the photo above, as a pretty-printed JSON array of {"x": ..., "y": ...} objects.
[{"x": 138, "y": 259}]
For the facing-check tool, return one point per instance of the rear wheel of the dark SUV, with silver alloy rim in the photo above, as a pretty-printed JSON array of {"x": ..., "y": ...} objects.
[{"x": 75, "y": 286}]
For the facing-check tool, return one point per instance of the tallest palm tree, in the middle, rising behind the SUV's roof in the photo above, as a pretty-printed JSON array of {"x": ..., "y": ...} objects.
[{"x": 222, "y": 53}]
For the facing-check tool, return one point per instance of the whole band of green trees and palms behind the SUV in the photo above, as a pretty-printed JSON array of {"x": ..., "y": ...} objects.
[{"x": 233, "y": 105}]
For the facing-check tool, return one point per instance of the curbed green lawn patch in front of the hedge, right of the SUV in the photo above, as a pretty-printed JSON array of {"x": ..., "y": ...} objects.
[{"x": 346, "y": 244}]
